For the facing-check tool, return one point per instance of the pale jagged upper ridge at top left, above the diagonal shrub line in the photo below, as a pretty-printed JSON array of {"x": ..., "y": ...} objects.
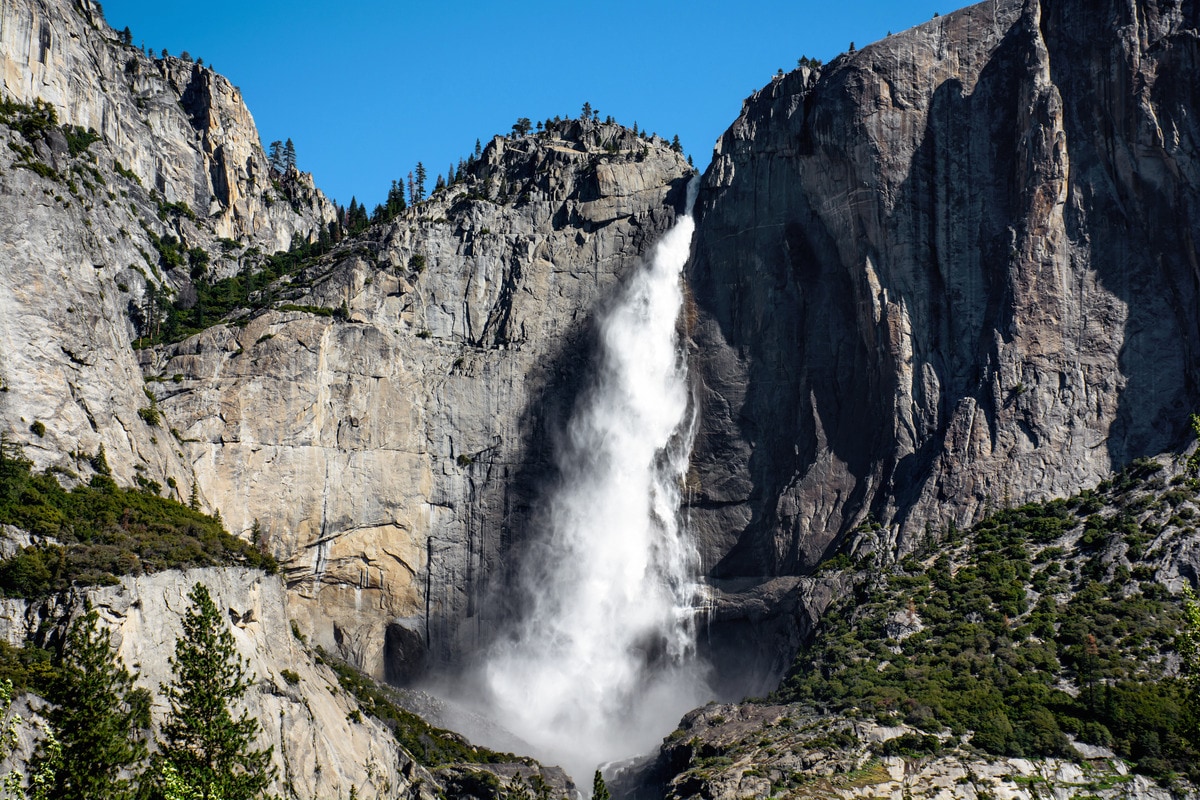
[{"x": 182, "y": 128}]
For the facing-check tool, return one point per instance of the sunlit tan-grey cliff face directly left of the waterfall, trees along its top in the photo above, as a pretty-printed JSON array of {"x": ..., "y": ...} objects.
[{"x": 393, "y": 459}]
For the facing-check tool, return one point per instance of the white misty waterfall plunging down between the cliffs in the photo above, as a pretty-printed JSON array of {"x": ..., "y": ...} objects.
[{"x": 603, "y": 664}]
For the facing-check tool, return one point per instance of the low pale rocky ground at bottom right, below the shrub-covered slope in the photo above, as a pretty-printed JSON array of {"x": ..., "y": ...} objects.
[{"x": 728, "y": 753}]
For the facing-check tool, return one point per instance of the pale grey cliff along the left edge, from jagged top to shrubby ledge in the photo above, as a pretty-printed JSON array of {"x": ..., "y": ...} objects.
[{"x": 79, "y": 232}]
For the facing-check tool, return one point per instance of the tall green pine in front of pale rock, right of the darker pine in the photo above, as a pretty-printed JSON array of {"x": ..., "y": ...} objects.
[{"x": 207, "y": 748}]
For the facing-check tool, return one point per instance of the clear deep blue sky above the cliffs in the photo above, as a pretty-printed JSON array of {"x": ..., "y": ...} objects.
[{"x": 367, "y": 89}]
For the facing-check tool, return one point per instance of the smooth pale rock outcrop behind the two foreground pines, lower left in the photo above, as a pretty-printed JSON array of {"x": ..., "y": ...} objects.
[{"x": 325, "y": 745}]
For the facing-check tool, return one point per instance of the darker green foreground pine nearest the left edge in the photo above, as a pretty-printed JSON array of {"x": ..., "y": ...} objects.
[{"x": 98, "y": 717}]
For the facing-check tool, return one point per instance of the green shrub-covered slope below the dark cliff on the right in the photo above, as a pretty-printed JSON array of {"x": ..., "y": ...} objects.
[{"x": 1041, "y": 625}]
